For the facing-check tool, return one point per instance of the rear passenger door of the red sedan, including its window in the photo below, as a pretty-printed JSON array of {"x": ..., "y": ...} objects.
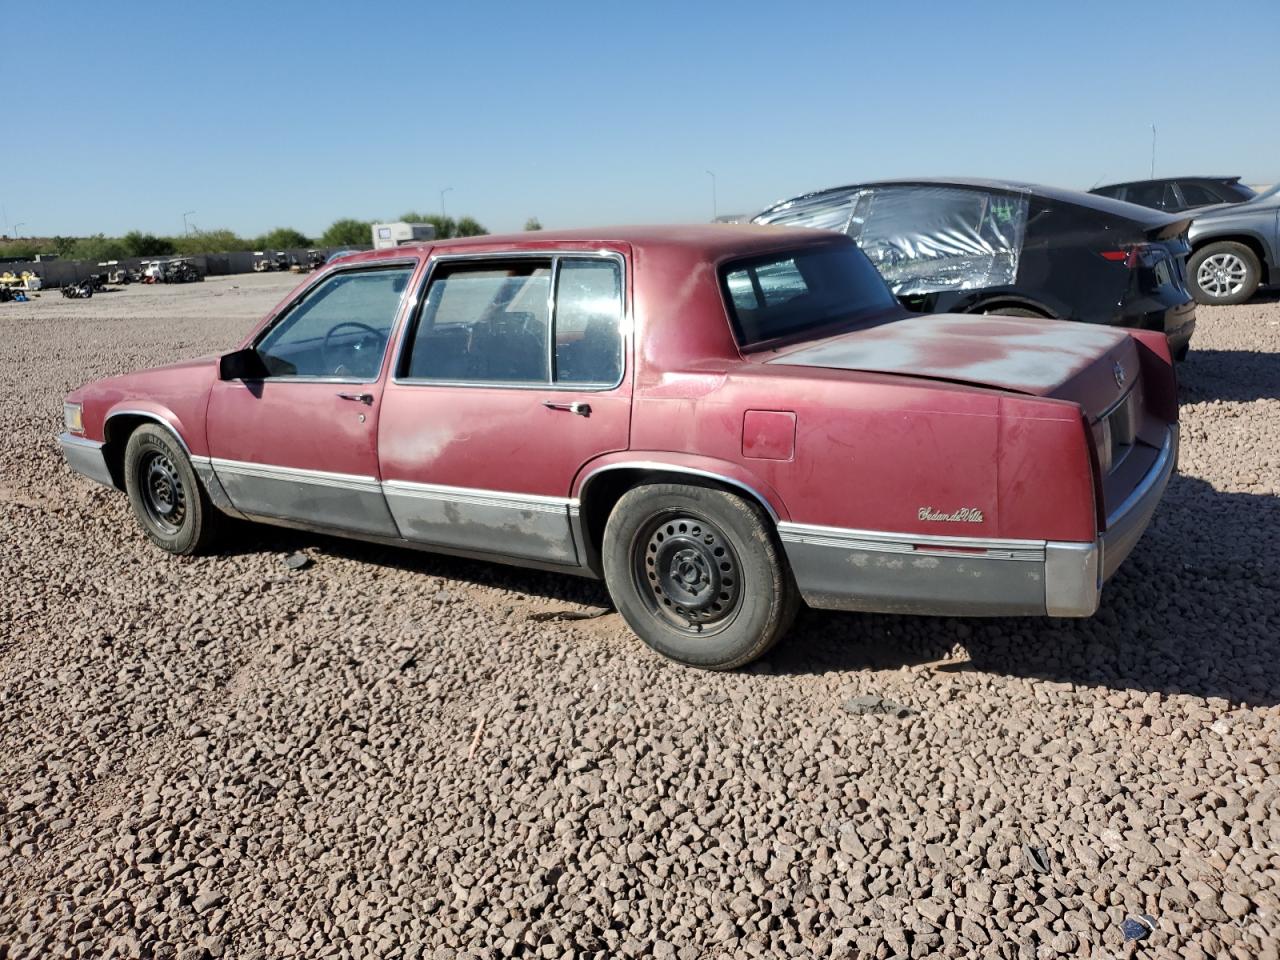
[{"x": 510, "y": 381}]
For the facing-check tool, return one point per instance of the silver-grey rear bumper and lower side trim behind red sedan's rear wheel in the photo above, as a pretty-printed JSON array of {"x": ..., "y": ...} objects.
[{"x": 879, "y": 573}]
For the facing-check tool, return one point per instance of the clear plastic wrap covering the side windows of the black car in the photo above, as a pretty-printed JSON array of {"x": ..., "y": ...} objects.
[{"x": 924, "y": 239}]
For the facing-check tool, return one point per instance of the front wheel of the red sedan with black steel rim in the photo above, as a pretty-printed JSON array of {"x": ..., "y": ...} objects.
[{"x": 166, "y": 493}]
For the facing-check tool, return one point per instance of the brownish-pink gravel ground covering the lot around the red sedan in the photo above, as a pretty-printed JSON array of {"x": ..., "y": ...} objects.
[{"x": 391, "y": 755}]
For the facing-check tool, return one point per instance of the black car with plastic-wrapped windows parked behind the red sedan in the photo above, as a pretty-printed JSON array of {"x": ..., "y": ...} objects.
[{"x": 957, "y": 246}]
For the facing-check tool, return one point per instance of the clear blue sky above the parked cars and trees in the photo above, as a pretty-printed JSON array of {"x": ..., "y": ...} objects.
[{"x": 264, "y": 115}]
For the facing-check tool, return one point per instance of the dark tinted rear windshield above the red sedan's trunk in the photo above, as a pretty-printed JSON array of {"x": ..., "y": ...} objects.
[{"x": 784, "y": 295}]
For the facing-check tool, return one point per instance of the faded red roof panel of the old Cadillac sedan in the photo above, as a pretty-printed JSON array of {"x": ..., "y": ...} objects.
[{"x": 703, "y": 241}]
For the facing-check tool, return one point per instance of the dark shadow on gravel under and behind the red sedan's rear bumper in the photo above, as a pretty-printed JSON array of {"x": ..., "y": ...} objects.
[{"x": 1196, "y": 610}]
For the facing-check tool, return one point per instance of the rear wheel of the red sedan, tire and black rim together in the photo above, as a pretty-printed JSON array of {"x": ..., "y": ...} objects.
[{"x": 715, "y": 592}]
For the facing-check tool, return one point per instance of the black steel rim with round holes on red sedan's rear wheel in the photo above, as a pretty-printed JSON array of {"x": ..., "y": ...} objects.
[{"x": 688, "y": 574}]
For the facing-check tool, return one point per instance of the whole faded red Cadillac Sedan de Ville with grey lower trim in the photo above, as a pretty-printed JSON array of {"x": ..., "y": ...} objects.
[{"x": 721, "y": 422}]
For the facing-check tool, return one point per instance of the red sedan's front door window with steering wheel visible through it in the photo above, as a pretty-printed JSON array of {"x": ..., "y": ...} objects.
[{"x": 340, "y": 328}]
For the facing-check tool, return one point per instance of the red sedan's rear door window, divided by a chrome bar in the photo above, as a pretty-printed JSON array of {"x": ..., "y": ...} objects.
[{"x": 491, "y": 323}]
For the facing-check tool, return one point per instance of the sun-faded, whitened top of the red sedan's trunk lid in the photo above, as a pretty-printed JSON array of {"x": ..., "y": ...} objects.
[{"x": 1082, "y": 363}]
